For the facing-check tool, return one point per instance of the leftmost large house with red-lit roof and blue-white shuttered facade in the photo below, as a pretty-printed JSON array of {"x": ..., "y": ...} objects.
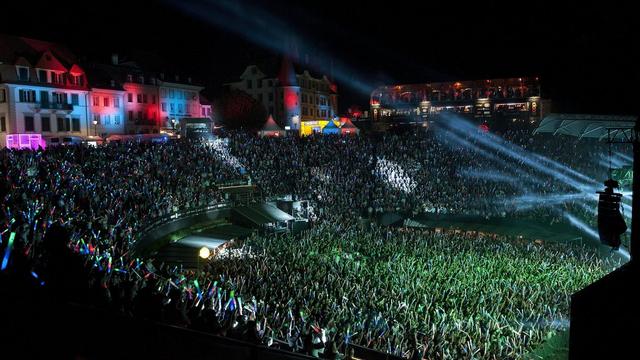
[{"x": 43, "y": 94}]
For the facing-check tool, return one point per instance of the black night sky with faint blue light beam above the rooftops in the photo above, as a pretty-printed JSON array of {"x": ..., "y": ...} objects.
[{"x": 584, "y": 53}]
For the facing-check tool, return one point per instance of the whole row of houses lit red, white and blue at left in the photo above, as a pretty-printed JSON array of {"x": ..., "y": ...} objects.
[{"x": 47, "y": 98}]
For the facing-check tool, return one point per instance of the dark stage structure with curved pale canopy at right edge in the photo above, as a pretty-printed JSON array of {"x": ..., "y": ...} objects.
[{"x": 603, "y": 315}]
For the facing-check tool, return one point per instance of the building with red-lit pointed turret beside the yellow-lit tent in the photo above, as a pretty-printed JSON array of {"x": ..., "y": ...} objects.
[{"x": 299, "y": 100}]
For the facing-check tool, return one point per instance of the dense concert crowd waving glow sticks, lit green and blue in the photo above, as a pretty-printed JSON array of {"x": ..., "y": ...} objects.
[{"x": 71, "y": 216}]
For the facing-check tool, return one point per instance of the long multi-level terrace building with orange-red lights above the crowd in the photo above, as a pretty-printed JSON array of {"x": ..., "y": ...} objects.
[{"x": 497, "y": 103}]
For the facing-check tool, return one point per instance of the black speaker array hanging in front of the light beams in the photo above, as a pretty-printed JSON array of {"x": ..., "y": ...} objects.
[{"x": 611, "y": 224}]
